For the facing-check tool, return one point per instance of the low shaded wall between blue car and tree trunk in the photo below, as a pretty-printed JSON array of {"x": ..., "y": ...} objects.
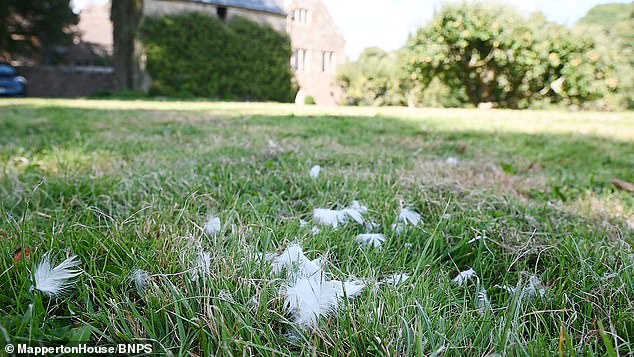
[{"x": 67, "y": 82}]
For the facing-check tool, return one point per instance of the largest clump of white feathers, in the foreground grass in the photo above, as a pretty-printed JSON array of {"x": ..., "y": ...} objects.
[{"x": 308, "y": 292}]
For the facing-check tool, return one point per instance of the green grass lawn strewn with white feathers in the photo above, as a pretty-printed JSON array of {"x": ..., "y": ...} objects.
[{"x": 128, "y": 185}]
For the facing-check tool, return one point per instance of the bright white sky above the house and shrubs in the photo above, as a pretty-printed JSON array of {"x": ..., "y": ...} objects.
[{"x": 388, "y": 23}]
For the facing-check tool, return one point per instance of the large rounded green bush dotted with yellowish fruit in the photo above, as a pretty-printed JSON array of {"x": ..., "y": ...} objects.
[{"x": 496, "y": 56}]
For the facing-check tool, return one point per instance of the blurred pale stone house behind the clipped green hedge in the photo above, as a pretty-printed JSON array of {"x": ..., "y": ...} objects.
[{"x": 318, "y": 46}]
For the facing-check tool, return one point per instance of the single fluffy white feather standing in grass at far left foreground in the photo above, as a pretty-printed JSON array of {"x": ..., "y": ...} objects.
[{"x": 54, "y": 281}]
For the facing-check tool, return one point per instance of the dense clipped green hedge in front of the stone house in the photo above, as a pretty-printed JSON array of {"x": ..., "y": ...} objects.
[{"x": 197, "y": 55}]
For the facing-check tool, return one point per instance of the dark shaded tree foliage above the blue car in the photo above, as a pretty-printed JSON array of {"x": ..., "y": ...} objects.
[{"x": 33, "y": 28}]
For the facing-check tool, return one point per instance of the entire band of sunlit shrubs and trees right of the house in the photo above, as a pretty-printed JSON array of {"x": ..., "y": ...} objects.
[{"x": 473, "y": 54}]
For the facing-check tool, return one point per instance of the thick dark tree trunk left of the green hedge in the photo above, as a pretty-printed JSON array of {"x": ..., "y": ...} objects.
[{"x": 126, "y": 16}]
